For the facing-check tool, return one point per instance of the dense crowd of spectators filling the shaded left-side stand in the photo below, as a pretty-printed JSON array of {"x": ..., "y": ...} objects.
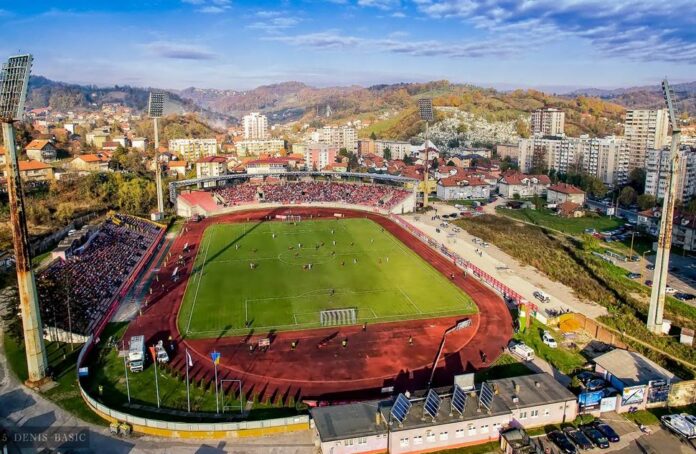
[{"x": 75, "y": 293}]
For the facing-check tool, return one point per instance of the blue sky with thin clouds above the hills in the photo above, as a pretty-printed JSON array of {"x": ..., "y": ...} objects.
[{"x": 242, "y": 44}]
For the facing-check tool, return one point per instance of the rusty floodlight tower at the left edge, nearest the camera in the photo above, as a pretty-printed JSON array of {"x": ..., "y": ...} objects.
[{"x": 13, "y": 92}]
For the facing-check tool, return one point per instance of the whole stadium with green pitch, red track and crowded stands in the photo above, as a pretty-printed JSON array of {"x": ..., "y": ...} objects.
[{"x": 309, "y": 286}]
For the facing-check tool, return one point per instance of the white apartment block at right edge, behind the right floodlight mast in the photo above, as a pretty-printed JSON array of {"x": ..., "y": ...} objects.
[{"x": 657, "y": 169}]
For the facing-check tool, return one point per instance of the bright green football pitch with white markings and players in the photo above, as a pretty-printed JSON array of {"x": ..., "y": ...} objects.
[{"x": 281, "y": 276}]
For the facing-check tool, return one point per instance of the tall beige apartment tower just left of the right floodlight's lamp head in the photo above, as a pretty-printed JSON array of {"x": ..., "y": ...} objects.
[{"x": 644, "y": 129}]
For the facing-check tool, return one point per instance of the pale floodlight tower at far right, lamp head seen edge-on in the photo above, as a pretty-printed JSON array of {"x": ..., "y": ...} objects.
[{"x": 664, "y": 241}]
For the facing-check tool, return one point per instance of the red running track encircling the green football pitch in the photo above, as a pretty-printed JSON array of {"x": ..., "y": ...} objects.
[{"x": 378, "y": 357}]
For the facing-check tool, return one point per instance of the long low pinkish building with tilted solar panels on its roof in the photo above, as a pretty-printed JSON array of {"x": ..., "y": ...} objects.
[{"x": 443, "y": 419}]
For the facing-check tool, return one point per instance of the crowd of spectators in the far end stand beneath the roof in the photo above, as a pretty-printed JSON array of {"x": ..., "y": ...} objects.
[{"x": 371, "y": 195}]
